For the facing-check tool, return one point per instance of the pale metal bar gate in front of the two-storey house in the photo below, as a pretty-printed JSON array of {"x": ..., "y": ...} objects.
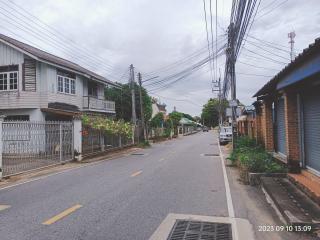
[{"x": 29, "y": 145}]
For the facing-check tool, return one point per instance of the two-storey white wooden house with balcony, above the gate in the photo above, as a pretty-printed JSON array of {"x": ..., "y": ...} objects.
[{"x": 38, "y": 86}]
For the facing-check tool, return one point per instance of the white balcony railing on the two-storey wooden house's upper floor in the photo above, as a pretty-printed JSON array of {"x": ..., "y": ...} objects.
[{"x": 100, "y": 105}]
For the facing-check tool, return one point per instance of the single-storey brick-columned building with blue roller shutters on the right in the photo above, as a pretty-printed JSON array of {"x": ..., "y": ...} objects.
[{"x": 288, "y": 113}]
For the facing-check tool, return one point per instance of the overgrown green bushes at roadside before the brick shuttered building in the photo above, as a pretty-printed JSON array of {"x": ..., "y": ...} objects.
[{"x": 252, "y": 158}]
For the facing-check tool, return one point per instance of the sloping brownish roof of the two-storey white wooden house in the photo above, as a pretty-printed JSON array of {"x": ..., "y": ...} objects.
[{"x": 50, "y": 58}]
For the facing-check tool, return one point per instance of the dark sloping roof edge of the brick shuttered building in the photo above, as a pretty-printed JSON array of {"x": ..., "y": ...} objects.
[{"x": 307, "y": 52}]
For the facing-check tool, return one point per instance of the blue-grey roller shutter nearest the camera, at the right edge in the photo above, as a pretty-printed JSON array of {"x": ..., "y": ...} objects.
[{"x": 311, "y": 118}]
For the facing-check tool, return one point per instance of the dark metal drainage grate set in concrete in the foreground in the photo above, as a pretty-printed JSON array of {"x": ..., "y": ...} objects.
[{"x": 192, "y": 230}]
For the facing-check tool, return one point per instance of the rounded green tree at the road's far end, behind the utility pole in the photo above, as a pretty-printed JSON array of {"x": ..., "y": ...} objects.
[{"x": 210, "y": 112}]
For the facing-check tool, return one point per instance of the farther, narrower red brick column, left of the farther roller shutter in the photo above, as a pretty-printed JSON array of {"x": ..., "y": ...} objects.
[{"x": 267, "y": 125}]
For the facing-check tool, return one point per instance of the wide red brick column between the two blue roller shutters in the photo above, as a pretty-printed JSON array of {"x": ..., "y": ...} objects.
[{"x": 292, "y": 131}]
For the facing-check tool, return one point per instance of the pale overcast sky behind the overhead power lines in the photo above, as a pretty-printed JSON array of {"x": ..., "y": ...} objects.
[{"x": 156, "y": 34}]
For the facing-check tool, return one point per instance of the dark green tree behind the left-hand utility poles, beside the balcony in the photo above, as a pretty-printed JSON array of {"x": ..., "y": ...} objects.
[{"x": 123, "y": 101}]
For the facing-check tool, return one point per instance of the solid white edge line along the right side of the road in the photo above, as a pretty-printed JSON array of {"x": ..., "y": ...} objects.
[{"x": 228, "y": 194}]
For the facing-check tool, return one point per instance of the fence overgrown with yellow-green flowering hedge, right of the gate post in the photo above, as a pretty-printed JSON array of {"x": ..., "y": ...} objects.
[{"x": 101, "y": 134}]
